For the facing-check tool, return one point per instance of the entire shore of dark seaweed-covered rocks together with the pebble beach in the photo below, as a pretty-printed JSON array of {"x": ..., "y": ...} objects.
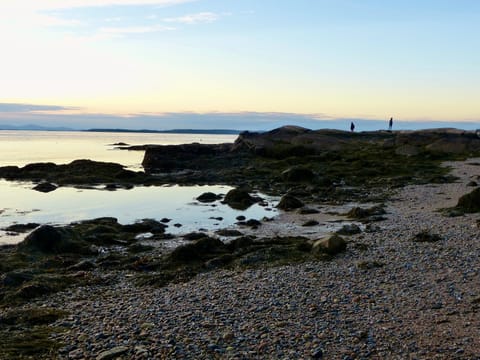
[{"x": 398, "y": 279}]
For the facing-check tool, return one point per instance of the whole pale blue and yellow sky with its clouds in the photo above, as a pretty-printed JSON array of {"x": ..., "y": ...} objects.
[{"x": 164, "y": 64}]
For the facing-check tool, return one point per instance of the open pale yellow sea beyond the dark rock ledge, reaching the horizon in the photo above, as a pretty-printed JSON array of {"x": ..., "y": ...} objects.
[{"x": 61, "y": 147}]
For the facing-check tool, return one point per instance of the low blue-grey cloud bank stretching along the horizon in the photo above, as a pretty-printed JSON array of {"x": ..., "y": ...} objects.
[{"x": 56, "y": 116}]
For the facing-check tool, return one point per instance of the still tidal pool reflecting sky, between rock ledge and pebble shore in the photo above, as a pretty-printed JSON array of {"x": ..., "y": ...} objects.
[{"x": 21, "y": 204}]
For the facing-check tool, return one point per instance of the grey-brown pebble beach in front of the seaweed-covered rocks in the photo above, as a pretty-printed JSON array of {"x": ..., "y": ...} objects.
[{"x": 386, "y": 297}]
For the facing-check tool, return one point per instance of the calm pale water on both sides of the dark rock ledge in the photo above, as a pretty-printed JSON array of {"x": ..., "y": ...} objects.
[{"x": 20, "y": 204}]
